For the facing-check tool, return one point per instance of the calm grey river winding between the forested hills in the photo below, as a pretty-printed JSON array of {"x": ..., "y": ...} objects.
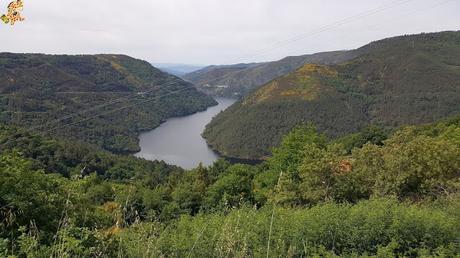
[{"x": 178, "y": 141}]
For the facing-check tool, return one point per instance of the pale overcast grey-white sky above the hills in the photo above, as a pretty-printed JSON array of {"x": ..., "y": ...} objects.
[{"x": 218, "y": 31}]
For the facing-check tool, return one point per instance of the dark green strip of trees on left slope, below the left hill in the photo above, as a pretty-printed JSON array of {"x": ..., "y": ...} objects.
[{"x": 74, "y": 159}]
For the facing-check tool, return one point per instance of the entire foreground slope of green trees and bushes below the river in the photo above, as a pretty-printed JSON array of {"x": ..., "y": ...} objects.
[{"x": 375, "y": 193}]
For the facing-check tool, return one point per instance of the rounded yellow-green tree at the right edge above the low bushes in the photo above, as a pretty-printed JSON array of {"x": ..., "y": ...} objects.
[{"x": 411, "y": 166}]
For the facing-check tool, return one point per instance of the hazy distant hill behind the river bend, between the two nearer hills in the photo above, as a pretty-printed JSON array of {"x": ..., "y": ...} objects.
[{"x": 240, "y": 79}]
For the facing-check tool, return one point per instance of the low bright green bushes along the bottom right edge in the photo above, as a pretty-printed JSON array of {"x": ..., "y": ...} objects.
[{"x": 381, "y": 227}]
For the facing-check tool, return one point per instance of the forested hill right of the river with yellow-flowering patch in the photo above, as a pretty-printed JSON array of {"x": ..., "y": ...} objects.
[{"x": 402, "y": 80}]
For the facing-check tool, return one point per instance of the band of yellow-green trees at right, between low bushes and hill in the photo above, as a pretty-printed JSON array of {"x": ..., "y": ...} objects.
[{"x": 413, "y": 162}]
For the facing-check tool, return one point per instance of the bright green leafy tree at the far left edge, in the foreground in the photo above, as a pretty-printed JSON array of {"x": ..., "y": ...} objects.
[{"x": 28, "y": 195}]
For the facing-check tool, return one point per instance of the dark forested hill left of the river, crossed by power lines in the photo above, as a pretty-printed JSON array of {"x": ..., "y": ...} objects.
[{"x": 123, "y": 96}]
